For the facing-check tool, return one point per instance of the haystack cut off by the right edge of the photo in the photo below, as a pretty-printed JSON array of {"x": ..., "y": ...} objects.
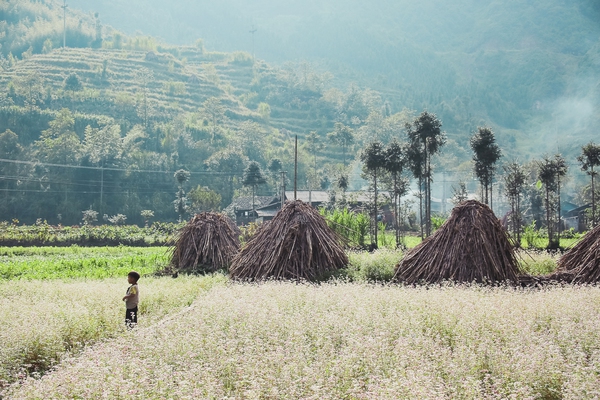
[{"x": 581, "y": 264}]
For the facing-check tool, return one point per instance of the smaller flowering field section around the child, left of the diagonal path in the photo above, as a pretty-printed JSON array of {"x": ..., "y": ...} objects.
[{"x": 41, "y": 321}]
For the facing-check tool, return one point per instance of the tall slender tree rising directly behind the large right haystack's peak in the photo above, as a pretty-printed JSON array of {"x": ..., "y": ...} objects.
[{"x": 485, "y": 155}]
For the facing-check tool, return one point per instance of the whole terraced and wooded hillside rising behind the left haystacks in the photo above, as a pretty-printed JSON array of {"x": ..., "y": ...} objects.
[{"x": 175, "y": 108}]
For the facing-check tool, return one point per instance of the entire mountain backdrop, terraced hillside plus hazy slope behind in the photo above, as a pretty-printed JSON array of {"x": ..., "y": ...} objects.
[{"x": 124, "y": 109}]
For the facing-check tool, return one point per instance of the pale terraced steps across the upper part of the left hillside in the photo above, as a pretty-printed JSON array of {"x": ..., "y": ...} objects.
[{"x": 177, "y": 85}]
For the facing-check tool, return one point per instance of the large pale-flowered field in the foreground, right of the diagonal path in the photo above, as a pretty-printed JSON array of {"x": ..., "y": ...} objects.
[{"x": 343, "y": 340}]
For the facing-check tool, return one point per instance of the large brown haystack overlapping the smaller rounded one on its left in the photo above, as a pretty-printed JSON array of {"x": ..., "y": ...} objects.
[{"x": 296, "y": 244}]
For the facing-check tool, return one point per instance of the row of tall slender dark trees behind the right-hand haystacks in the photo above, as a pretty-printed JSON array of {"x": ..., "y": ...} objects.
[{"x": 424, "y": 139}]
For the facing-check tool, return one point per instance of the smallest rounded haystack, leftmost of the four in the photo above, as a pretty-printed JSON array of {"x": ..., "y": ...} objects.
[{"x": 207, "y": 243}]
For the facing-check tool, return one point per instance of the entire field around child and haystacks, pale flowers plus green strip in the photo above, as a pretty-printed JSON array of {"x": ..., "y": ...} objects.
[{"x": 203, "y": 337}]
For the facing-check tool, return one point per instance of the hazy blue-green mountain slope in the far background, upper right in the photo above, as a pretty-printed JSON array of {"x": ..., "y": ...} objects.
[{"x": 511, "y": 64}]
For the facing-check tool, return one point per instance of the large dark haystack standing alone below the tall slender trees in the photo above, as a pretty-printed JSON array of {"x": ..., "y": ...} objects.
[{"x": 471, "y": 246}]
